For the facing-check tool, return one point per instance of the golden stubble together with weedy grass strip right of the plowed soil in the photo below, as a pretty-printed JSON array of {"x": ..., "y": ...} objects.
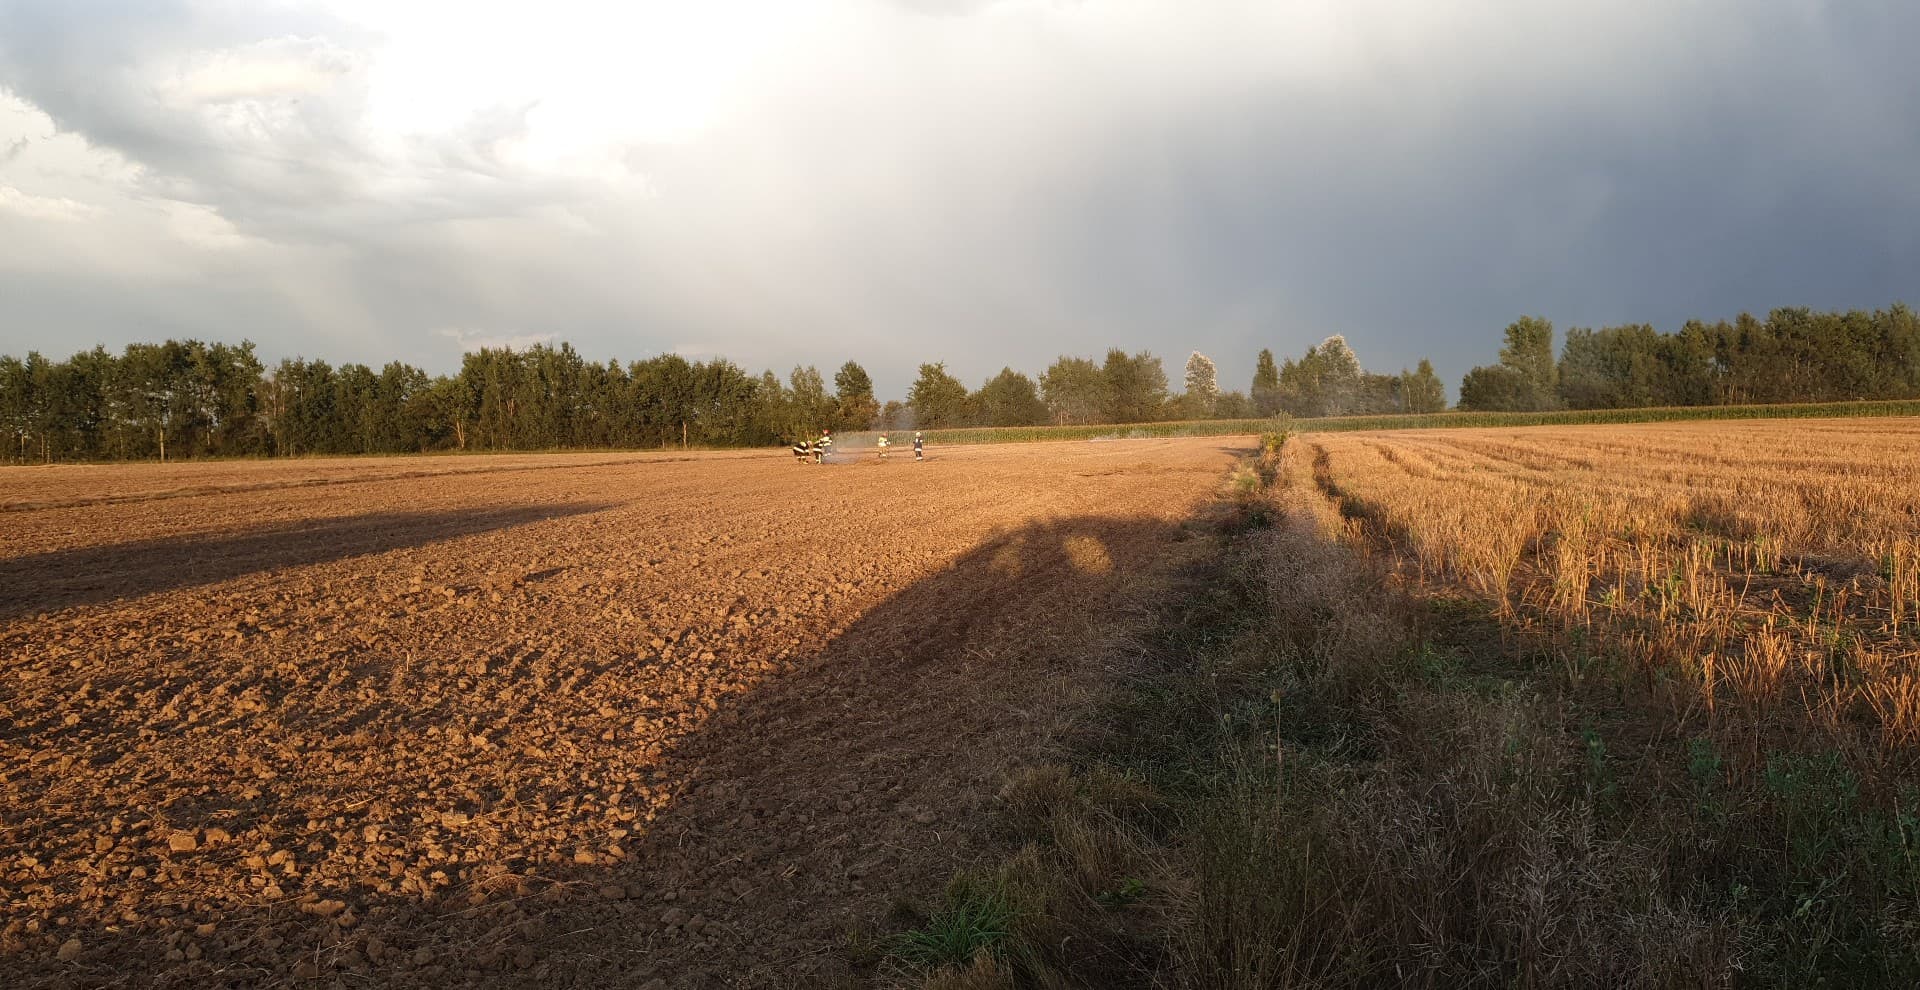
[{"x": 1560, "y": 707}]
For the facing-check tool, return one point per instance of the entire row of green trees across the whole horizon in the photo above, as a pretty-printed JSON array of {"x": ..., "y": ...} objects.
[{"x": 185, "y": 398}]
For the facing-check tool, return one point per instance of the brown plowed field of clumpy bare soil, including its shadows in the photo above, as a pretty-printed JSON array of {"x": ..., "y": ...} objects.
[{"x": 544, "y": 720}]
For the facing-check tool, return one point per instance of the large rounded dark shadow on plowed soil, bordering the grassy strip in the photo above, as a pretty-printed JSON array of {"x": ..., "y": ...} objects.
[{"x": 813, "y": 805}]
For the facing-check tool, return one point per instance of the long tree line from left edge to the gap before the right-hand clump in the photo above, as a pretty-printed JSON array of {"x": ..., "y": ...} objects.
[{"x": 185, "y": 398}]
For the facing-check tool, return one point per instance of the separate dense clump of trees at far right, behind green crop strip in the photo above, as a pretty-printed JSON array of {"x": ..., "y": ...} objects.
[{"x": 1794, "y": 356}]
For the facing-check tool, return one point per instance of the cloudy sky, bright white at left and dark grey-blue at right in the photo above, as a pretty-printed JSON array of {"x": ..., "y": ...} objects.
[{"x": 967, "y": 181}]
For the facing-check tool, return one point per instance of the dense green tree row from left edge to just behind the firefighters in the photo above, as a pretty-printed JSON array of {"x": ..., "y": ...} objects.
[{"x": 214, "y": 400}]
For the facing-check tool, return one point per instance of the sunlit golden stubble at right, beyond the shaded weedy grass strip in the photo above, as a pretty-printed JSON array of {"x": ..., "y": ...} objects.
[{"x": 1756, "y": 578}]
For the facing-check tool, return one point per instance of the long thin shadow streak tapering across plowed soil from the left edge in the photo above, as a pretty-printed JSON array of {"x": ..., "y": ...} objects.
[{"x": 130, "y": 571}]
